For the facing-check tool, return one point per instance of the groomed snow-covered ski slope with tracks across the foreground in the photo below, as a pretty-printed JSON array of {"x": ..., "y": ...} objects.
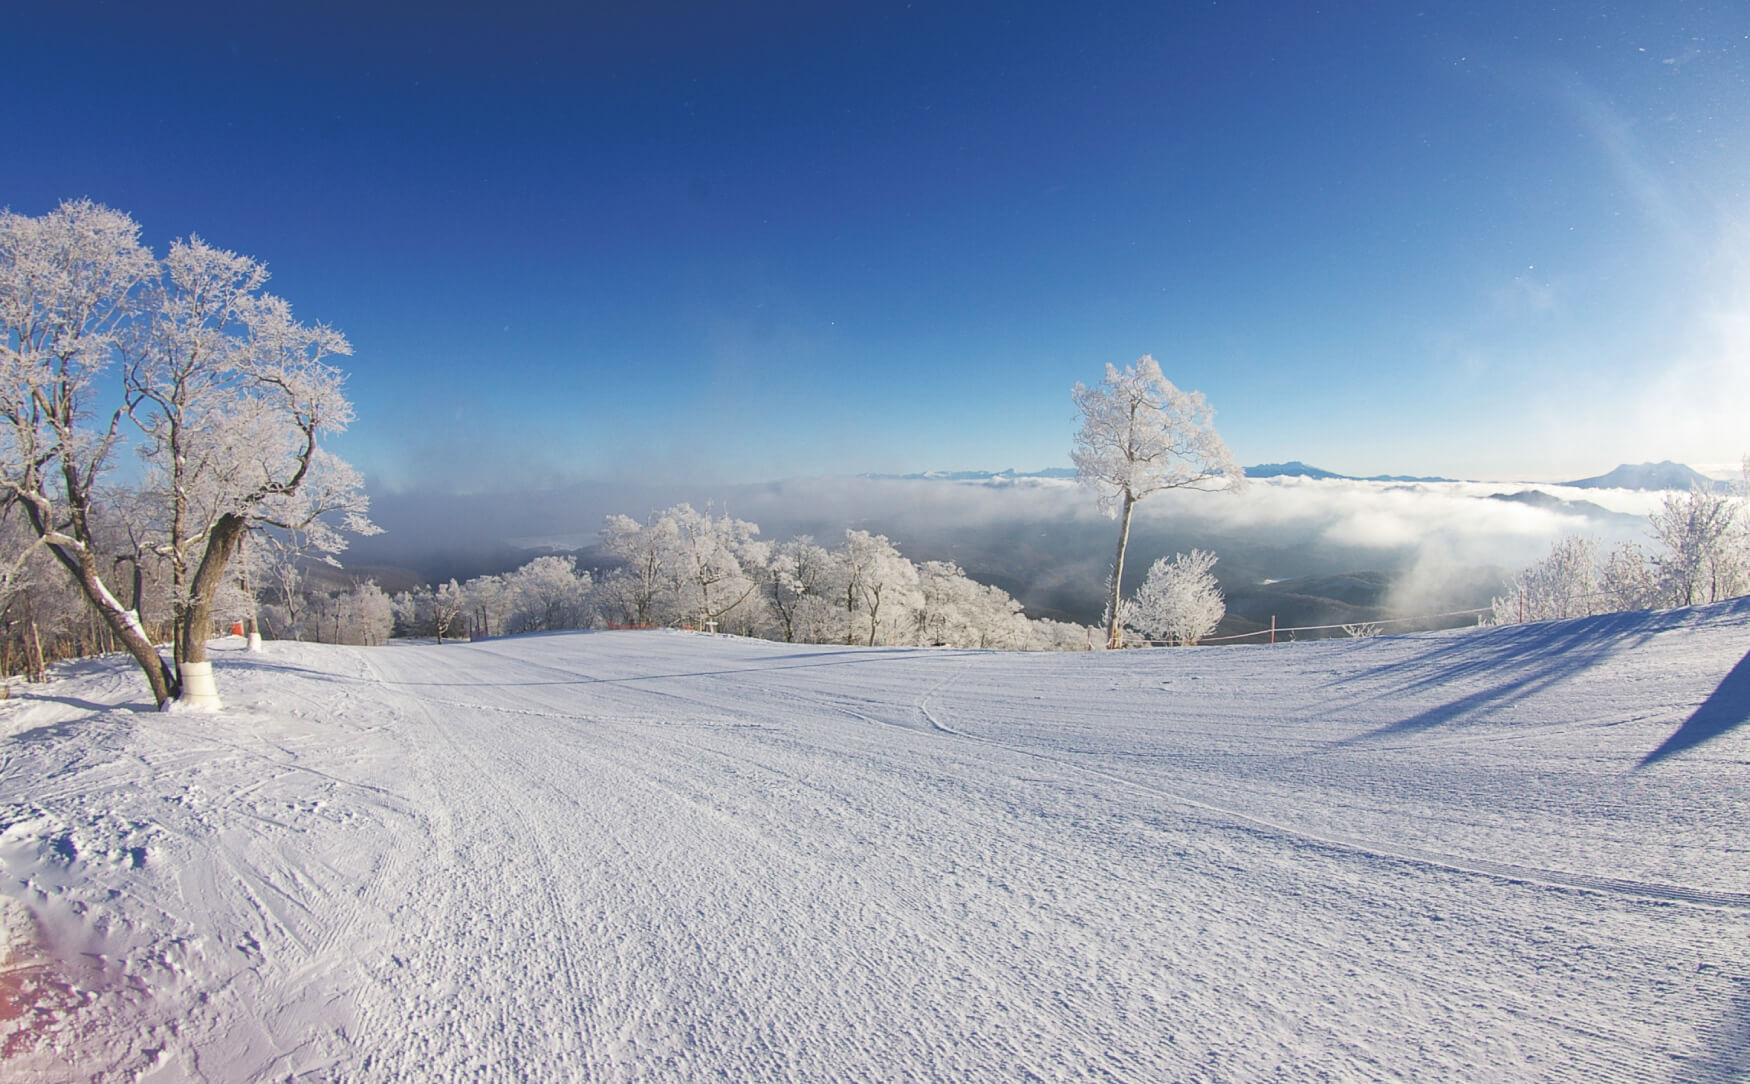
[{"x": 1490, "y": 855}]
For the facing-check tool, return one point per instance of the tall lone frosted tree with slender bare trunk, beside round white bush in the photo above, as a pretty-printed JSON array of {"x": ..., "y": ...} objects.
[{"x": 1142, "y": 435}]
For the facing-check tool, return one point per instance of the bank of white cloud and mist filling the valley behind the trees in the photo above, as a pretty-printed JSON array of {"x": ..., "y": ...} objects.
[{"x": 1047, "y": 542}]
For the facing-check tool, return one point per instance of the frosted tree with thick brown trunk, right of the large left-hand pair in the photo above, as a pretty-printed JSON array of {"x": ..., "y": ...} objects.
[{"x": 232, "y": 397}]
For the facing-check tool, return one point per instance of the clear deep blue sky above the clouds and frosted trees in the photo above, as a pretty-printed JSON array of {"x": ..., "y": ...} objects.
[{"x": 741, "y": 243}]
